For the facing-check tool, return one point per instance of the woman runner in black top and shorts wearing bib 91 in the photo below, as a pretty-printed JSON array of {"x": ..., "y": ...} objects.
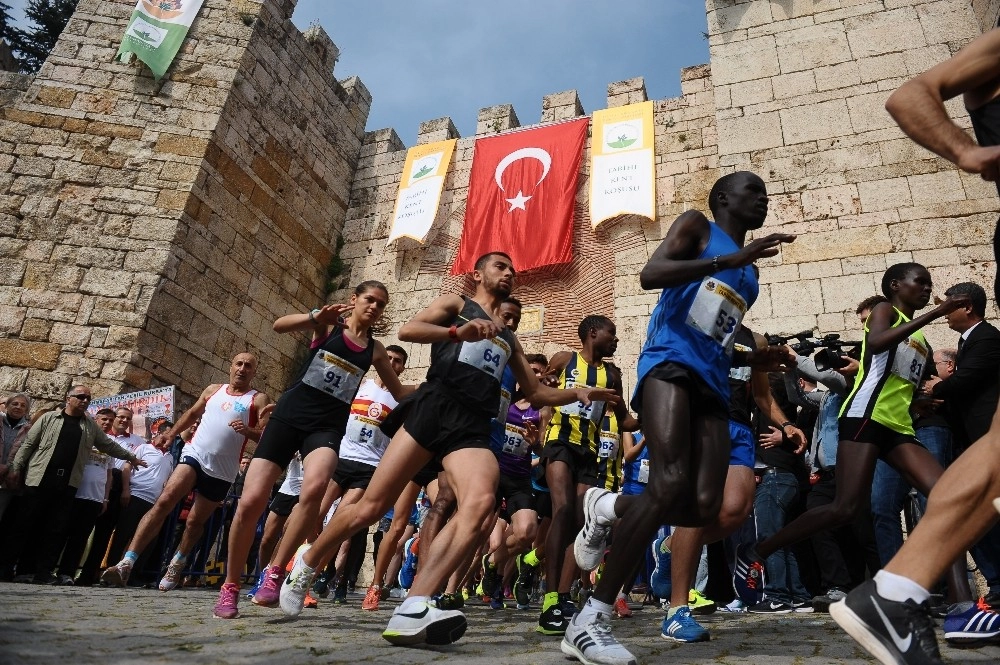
[{"x": 309, "y": 418}]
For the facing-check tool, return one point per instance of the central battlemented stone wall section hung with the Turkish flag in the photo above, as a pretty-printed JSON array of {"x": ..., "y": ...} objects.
[{"x": 602, "y": 277}]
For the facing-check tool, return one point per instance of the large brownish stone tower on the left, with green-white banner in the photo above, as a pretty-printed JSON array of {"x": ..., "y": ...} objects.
[{"x": 148, "y": 231}]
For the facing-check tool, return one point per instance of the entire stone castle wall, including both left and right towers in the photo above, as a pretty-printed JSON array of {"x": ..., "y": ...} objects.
[{"x": 148, "y": 231}]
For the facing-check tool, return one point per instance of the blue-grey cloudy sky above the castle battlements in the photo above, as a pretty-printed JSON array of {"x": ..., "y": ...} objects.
[{"x": 424, "y": 60}]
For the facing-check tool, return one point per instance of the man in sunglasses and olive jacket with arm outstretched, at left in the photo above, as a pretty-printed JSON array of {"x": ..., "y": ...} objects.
[{"x": 51, "y": 460}]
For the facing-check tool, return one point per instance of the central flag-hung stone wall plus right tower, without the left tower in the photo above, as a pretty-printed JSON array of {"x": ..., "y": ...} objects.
[{"x": 795, "y": 93}]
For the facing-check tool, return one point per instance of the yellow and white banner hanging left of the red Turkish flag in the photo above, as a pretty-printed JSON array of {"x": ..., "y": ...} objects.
[{"x": 420, "y": 189}]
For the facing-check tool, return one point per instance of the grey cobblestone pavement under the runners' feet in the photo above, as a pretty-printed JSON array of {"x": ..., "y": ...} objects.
[{"x": 42, "y": 625}]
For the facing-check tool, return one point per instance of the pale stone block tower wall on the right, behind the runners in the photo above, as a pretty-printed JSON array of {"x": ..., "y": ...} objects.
[{"x": 800, "y": 93}]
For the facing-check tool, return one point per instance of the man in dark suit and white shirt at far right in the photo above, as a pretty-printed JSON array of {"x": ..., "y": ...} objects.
[{"x": 970, "y": 395}]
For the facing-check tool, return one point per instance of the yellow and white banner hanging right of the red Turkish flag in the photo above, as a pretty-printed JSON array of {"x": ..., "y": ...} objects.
[{"x": 622, "y": 163}]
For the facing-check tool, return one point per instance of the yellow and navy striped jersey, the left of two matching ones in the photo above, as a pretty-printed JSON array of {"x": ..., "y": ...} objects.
[{"x": 575, "y": 423}]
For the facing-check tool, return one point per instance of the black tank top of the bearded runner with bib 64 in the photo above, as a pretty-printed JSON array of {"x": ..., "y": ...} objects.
[{"x": 472, "y": 370}]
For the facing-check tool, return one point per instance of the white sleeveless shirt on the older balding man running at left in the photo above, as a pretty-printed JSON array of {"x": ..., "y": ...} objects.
[{"x": 216, "y": 446}]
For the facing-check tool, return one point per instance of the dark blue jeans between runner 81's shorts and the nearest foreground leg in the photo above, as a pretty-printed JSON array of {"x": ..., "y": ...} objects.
[{"x": 889, "y": 492}]
